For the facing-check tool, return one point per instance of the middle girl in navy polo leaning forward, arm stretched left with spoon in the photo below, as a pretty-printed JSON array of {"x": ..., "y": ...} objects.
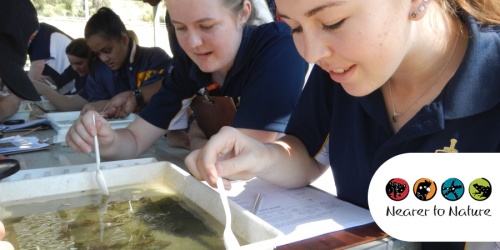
[{"x": 255, "y": 65}]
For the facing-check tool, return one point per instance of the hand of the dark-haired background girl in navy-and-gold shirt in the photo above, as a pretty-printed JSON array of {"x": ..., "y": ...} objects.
[{"x": 121, "y": 105}]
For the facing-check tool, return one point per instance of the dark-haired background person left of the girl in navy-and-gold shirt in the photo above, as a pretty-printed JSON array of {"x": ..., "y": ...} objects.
[{"x": 78, "y": 56}]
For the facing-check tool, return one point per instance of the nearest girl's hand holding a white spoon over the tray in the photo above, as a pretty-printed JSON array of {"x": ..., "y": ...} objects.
[{"x": 229, "y": 154}]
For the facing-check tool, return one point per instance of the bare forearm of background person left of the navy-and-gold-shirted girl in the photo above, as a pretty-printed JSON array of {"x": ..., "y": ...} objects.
[{"x": 60, "y": 101}]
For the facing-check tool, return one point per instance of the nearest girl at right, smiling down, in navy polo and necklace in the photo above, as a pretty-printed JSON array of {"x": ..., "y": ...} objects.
[{"x": 391, "y": 77}]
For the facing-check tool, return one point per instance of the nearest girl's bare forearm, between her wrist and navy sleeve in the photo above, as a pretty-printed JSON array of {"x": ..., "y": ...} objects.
[{"x": 289, "y": 165}]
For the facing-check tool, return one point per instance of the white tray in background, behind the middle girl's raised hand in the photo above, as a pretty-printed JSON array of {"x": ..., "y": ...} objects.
[{"x": 62, "y": 121}]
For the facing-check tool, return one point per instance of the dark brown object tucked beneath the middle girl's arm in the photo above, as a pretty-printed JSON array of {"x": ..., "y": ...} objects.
[{"x": 213, "y": 113}]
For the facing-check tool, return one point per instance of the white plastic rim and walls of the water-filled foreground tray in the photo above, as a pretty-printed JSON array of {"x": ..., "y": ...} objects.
[{"x": 250, "y": 228}]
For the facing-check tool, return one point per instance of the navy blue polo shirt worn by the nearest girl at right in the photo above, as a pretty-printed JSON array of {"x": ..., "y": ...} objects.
[{"x": 359, "y": 132}]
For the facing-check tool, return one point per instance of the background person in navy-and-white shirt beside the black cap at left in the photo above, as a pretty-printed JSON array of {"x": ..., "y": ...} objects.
[{"x": 46, "y": 52}]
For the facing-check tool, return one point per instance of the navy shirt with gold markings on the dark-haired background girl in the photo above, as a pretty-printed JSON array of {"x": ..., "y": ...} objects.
[{"x": 145, "y": 66}]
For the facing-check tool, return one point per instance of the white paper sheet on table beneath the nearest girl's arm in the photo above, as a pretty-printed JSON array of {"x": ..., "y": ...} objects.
[{"x": 299, "y": 213}]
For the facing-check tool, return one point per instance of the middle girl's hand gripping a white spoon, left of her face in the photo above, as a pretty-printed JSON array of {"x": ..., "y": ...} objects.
[{"x": 80, "y": 136}]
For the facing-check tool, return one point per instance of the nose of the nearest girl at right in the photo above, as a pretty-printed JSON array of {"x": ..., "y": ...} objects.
[{"x": 314, "y": 47}]
